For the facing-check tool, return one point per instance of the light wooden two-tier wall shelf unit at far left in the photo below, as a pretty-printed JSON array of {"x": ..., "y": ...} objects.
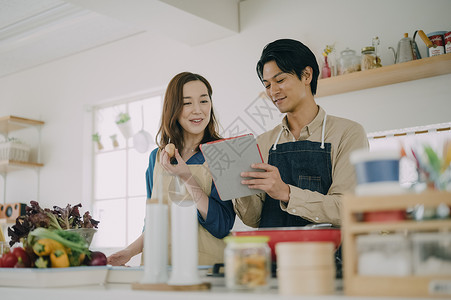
[{"x": 10, "y": 124}]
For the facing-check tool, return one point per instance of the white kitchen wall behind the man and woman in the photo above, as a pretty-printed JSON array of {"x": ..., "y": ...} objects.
[{"x": 59, "y": 92}]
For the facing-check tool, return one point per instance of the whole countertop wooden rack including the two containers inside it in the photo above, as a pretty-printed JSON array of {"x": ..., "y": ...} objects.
[{"x": 396, "y": 257}]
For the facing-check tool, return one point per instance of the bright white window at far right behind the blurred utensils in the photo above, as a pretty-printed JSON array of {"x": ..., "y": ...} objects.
[{"x": 436, "y": 136}]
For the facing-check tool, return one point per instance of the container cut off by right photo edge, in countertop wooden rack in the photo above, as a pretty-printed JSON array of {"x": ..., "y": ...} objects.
[{"x": 431, "y": 253}]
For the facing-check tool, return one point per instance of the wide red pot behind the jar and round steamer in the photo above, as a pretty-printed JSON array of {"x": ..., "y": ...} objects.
[{"x": 295, "y": 234}]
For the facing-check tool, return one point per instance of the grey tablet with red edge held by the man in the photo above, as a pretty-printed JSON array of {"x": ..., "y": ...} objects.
[{"x": 226, "y": 159}]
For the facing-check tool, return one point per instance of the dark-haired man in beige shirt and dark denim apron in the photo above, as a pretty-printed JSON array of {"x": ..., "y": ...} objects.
[{"x": 307, "y": 167}]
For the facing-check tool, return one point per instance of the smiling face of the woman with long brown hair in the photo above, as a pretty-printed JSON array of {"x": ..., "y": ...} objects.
[{"x": 196, "y": 110}]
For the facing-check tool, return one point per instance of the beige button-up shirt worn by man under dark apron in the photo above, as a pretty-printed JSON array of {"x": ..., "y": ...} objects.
[{"x": 344, "y": 136}]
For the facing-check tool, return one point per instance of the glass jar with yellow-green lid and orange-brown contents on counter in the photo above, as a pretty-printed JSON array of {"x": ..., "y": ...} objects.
[{"x": 247, "y": 262}]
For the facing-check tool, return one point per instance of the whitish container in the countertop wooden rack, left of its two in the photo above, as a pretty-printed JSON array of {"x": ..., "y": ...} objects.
[{"x": 384, "y": 255}]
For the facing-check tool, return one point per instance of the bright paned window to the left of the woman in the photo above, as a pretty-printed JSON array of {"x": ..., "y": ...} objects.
[{"x": 119, "y": 186}]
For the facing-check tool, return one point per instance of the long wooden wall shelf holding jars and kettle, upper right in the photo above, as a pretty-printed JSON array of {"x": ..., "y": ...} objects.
[{"x": 396, "y": 73}]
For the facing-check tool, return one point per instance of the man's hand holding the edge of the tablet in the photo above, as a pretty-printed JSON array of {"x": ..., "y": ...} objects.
[{"x": 268, "y": 181}]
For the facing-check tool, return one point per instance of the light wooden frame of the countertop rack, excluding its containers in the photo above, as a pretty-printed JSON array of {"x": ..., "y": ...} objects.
[{"x": 406, "y": 286}]
